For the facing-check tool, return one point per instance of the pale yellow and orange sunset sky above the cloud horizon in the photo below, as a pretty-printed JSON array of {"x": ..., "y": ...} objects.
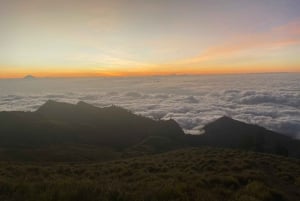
[{"x": 143, "y": 37}]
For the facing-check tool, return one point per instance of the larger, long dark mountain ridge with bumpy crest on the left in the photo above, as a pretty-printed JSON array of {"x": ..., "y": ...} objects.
[{"x": 62, "y": 127}]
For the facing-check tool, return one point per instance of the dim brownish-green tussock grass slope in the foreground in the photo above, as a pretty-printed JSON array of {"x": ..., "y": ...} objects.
[{"x": 209, "y": 174}]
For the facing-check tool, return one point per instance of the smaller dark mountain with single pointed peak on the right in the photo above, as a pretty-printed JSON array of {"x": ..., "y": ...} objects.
[{"x": 230, "y": 133}]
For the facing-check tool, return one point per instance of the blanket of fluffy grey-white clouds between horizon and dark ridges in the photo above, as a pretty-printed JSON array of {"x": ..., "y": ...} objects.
[{"x": 269, "y": 100}]
